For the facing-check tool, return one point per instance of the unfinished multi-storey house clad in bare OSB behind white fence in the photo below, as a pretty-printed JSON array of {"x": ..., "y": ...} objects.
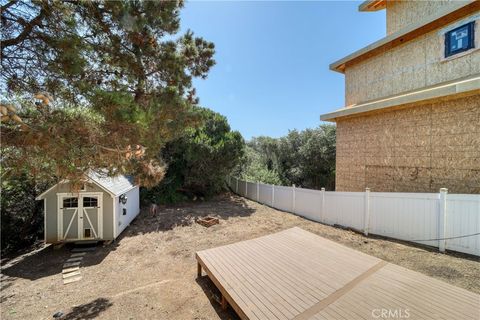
[{"x": 411, "y": 121}]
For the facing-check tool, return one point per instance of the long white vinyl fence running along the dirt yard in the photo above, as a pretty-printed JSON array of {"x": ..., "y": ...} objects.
[{"x": 446, "y": 221}]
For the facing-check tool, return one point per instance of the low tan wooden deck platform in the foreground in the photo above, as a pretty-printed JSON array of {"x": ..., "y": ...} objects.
[{"x": 295, "y": 274}]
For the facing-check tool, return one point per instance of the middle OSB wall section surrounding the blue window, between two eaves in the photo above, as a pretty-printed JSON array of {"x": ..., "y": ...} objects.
[{"x": 411, "y": 66}]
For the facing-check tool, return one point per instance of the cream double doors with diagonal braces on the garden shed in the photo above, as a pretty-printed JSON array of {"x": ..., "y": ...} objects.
[{"x": 80, "y": 216}]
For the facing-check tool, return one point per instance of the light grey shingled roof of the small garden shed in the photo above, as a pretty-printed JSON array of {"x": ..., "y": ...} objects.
[{"x": 115, "y": 186}]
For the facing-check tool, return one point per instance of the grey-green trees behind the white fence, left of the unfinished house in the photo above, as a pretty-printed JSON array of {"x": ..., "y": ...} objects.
[{"x": 304, "y": 158}]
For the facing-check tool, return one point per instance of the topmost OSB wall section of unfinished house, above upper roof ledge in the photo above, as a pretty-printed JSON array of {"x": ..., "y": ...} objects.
[{"x": 401, "y": 13}]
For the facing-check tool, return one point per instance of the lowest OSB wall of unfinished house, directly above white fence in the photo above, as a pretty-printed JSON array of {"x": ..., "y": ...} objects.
[{"x": 415, "y": 149}]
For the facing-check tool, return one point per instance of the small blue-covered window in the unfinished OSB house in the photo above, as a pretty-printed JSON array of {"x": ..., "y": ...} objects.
[{"x": 459, "y": 39}]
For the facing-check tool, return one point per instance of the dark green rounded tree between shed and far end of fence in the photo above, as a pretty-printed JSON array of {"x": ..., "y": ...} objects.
[{"x": 199, "y": 161}]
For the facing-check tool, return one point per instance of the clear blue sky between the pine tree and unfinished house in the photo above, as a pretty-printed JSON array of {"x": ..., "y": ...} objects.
[{"x": 272, "y": 59}]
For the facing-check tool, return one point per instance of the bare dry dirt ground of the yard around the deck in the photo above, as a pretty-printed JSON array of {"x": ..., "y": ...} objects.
[{"x": 150, "y": 272}]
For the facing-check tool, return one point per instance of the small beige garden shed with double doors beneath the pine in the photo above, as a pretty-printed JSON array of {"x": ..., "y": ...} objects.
[{"x": 100, "y": 210}]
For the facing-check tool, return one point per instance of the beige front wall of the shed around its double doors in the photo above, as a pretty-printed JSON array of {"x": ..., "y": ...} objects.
[{"x": 52, "y": 210}]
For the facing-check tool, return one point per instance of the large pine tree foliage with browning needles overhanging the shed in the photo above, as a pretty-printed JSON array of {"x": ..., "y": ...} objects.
[{"x": 96, "y": 85}]
